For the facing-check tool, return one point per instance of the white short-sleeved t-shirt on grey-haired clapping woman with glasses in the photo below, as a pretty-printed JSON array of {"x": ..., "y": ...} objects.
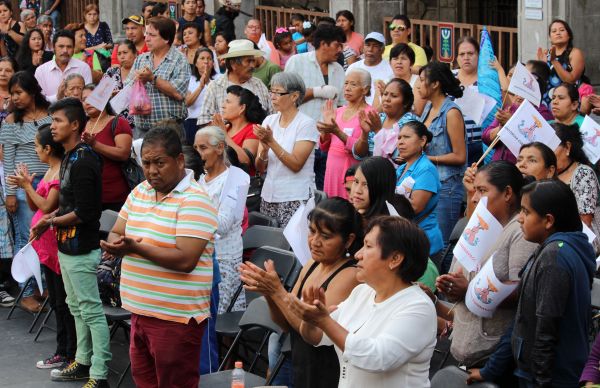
[{"x": 281, "y": 183}]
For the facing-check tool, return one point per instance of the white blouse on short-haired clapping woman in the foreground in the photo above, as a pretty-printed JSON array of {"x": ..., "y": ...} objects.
[{"x": 389, "y": 344}]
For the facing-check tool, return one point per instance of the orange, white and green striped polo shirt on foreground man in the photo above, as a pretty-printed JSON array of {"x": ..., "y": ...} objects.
[{"x": 149, "y": 289}]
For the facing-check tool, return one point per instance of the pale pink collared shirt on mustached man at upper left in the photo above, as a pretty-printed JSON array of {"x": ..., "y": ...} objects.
[{"x": 49, "y": 76}]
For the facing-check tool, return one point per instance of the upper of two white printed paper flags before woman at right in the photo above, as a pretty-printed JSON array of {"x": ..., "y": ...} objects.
[{"x": 481, "y": 232}]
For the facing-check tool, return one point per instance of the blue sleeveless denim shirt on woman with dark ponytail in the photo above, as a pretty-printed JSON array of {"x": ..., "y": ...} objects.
[{"x": 440, "y": 144}]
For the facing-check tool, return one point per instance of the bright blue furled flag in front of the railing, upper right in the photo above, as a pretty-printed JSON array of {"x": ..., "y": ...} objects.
[{"x": 488, "y": 82}]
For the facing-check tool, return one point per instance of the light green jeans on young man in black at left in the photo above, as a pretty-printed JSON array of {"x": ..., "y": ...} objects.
[{"x": 83, "y": 298}]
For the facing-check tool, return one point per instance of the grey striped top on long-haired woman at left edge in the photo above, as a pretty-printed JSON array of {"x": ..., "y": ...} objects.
[{"x": 19, "y": 147}]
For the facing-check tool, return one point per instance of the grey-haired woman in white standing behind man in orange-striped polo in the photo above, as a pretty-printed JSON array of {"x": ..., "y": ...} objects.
[{"x": 210, "y": 143}]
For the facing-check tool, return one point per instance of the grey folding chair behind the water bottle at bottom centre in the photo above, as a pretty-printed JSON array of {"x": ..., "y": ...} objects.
[{"x": 256, "y": 316}]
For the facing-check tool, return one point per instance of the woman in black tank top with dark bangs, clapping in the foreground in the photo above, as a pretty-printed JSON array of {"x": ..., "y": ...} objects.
[{"x": 335, "y": 234}]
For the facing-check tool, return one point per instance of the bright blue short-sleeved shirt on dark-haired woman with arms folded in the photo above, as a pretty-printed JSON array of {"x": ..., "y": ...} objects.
[{"x": 426, "y": 178}]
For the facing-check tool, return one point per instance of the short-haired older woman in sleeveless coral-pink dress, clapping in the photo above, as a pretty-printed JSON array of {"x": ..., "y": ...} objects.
[{"x": 340, "y": 130}]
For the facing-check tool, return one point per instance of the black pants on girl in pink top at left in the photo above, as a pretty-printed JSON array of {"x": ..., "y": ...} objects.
[{"x": 66, "y": 337}]
